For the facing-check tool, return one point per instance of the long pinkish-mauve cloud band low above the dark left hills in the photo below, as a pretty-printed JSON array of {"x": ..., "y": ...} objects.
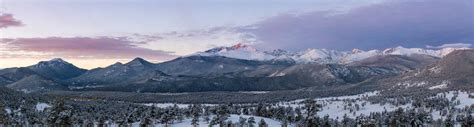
[{"x": 79, "y": 48}]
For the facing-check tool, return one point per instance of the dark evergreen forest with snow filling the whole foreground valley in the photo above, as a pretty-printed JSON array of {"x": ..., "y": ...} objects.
[{"x": 17, "y": 109}]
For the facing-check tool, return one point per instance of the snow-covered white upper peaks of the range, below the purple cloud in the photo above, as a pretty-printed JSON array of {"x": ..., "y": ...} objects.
[{"x": 324, "y": 56}]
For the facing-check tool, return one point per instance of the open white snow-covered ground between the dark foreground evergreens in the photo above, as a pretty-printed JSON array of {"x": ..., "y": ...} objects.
[{"x": 334, "y": 107}]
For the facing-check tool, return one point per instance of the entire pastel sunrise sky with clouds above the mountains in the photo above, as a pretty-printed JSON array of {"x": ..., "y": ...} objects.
[{"x": 97, "y": 33}]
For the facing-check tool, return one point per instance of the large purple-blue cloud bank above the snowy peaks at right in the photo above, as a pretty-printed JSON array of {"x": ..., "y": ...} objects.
[{"x": 387, "y": 24}]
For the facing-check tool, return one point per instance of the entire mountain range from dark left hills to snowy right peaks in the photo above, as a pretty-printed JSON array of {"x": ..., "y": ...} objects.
[{"x": 244, "y": 68}]
